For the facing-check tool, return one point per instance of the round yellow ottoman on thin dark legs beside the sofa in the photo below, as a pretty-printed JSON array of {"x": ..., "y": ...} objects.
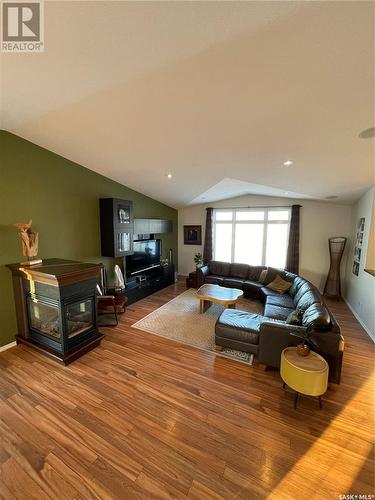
[{"x": 306, "y": 375}]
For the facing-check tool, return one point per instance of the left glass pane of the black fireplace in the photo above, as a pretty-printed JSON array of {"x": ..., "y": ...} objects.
[{"x": 44, "y": 318}]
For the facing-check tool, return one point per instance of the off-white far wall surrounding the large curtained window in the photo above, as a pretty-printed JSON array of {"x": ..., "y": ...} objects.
[{"x": 319, "y": 221}]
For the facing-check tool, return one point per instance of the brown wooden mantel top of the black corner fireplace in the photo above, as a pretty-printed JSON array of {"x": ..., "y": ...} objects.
[{"x": 57, "y": 272}]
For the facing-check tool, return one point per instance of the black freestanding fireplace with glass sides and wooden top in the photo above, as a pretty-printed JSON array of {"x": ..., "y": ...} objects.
[{"x": 56, "y": 307}]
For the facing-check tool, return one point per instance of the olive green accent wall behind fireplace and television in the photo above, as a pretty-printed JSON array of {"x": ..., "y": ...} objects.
[{"x": 62, "y": 199}]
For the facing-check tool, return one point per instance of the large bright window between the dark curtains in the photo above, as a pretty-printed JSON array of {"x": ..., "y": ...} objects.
[{"x": 252, "y": 236}]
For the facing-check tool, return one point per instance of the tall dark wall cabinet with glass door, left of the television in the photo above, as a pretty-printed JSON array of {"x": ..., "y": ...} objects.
[{"x": 116, "y": 227}]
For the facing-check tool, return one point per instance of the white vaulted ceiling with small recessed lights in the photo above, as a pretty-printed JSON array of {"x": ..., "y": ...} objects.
[{"x": 217, "y": 93}]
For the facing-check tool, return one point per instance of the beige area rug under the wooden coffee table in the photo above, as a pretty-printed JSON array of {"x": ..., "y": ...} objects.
[{"x": 180, "y": 320}]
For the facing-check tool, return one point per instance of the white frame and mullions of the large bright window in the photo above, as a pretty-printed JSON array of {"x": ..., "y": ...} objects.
[{"x": 265, "y": 222}]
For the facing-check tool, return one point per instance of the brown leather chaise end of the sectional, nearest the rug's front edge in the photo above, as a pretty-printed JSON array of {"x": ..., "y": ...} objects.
[{"x": 239, "y": 325}]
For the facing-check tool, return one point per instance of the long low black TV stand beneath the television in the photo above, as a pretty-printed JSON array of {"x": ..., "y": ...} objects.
[{"x": 148, "y": 282}]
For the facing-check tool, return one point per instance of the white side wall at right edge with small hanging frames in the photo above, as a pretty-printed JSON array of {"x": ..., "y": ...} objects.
[{"x": 359, "y": 291}]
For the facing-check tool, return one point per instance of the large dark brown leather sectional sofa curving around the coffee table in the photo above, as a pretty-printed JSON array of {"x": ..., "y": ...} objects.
[{"x": 268, "y": 334}]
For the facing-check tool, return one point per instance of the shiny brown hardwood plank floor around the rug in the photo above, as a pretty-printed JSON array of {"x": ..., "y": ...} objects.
[{"x": 142, "y": 416}]
